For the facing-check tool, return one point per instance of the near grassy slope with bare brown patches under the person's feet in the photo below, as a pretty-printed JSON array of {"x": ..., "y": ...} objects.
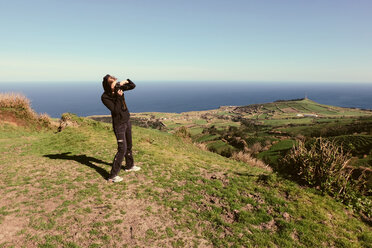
[{"x": 53, "y": 193}]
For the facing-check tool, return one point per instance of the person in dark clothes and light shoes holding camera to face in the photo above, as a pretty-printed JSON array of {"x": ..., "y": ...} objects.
[{"x": 113, "y": 99}]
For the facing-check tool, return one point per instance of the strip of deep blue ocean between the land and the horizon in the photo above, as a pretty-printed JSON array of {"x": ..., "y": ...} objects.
[{"x": 84, "y": 98}]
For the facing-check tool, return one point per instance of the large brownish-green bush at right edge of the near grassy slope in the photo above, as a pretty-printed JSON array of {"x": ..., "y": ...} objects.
[{"x": 324, "y": 164}]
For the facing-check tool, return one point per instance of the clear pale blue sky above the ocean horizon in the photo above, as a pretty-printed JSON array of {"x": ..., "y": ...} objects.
[{"x": 243, "y": 40}]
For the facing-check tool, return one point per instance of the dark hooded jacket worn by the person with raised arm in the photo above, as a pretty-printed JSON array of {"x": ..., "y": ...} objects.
[{"x": 116, "y": 104}]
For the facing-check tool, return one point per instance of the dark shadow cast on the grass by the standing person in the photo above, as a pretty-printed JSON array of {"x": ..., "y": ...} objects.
[{"x": 83, "y": 159}]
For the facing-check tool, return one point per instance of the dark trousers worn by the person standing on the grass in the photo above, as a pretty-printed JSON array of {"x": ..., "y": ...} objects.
[{"x": 123, "y": 133}]
